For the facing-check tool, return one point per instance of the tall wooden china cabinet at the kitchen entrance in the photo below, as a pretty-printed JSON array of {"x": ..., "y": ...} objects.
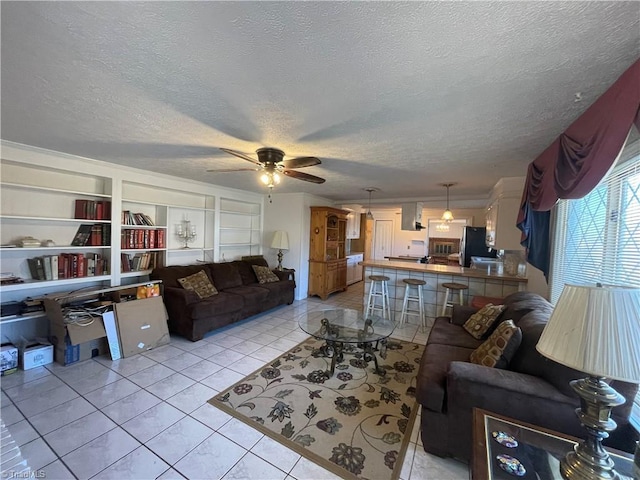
[{"x": 327, "y": 251}]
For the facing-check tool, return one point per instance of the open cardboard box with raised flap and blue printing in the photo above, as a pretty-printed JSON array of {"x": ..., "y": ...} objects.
[{"x": 74, "y": 343}]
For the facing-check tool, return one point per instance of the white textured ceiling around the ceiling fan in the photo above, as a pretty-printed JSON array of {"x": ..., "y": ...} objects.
[{"x": 400, "y": 96}]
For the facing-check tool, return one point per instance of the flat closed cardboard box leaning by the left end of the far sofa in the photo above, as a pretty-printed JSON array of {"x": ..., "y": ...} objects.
[{"x": 142, "y": 325}]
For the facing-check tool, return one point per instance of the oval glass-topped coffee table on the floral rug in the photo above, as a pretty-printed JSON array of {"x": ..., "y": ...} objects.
[{"x": 343, "y": 326}]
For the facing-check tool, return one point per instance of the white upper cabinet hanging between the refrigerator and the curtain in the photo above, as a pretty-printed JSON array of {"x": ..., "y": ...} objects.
[{"x": 502, "y": 214}]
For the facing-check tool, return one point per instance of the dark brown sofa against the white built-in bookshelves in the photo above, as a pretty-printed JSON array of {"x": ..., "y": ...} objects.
[{"x": 240, "y": 295}]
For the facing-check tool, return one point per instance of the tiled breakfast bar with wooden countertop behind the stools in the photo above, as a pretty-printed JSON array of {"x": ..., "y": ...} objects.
[{"x": 479, "y": 282}]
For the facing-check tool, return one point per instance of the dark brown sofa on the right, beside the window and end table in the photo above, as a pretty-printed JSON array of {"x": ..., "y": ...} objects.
[{"x": 532, "y": 389}]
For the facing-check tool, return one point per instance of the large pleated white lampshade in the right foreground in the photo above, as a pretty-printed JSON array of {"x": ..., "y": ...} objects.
[{"x": 596, "y": 330}]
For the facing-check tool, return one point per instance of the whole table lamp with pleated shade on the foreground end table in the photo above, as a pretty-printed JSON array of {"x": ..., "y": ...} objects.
[{"x": 595, "y": 330}]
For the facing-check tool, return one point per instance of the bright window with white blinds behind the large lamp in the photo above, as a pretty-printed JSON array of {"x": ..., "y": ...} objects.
[{"x": 597, "y": 238}]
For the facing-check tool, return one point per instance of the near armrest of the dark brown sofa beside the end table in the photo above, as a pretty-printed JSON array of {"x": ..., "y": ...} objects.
[{"x": 475, "y": 385}]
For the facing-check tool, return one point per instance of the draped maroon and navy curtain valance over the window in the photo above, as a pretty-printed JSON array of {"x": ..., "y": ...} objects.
[{"x": 577, "y": 160}]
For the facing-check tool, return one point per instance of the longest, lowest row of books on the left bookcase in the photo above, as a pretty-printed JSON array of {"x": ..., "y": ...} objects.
[{"x": 67, "y": 265}]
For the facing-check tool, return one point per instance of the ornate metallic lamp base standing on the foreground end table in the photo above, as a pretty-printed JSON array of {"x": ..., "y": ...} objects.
[{"x": 589, "y": 460}]
